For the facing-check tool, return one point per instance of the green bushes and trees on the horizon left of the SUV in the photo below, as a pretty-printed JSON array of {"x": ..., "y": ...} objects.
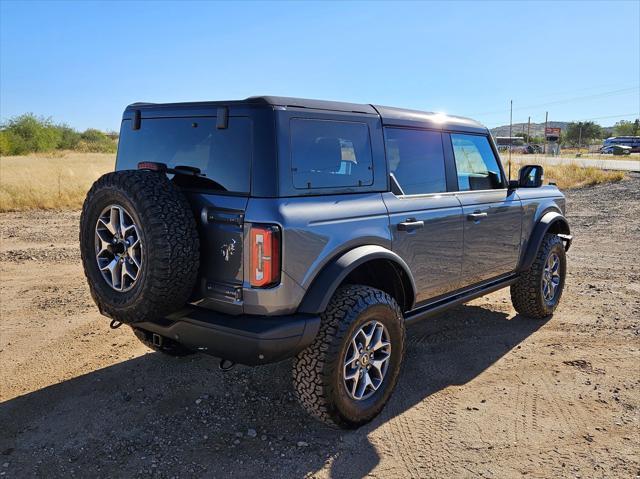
[{"x": 29, "y": 133}]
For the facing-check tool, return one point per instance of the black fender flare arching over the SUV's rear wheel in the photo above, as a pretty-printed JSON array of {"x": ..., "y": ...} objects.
[{"x": 333, "y": 274}]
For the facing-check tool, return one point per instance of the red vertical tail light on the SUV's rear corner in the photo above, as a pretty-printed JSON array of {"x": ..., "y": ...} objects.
[{"x": 265, "y": 255}]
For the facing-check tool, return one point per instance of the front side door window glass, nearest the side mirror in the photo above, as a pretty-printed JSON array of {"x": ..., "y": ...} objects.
[{"x": 476, "y": 164}]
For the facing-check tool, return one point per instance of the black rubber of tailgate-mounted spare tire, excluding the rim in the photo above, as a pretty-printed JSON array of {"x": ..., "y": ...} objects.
[{"x": 170, "y": 245}]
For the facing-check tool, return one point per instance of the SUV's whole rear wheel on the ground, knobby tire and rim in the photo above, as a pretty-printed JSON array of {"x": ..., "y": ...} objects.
[{"x": 346, "y": 376}]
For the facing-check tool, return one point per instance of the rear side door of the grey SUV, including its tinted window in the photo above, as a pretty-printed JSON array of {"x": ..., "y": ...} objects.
[{"x": 425, "y": 220}]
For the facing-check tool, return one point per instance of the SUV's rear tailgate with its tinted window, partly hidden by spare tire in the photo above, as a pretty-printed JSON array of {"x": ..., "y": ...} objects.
[{"x": 218, "y": 194}]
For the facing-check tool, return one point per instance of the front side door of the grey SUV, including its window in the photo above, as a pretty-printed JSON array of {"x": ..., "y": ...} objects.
[{"x": 492, "y": 213}]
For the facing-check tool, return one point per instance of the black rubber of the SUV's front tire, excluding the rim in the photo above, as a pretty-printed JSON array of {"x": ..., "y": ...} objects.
[{"x": 526, "y": 293}]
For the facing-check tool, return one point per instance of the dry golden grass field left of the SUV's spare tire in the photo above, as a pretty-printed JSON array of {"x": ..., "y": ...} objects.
[{"x": 58, "y": 180}]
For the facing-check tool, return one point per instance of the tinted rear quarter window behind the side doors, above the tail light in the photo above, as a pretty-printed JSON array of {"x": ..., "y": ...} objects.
[{"x": 326, "y": 153}]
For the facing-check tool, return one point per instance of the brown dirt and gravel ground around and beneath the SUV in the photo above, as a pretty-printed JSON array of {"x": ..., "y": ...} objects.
[{"x": 483, "y": 392}]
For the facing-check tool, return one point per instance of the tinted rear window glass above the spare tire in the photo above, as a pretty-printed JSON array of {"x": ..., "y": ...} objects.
[{"x": 222, "y": 155}]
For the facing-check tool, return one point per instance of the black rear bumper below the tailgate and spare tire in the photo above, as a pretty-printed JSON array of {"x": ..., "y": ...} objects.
[{"x": 245, "y": 339}]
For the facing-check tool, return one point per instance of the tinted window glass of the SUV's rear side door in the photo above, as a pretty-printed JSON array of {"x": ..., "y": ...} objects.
[{"x": 416, "y": 159}]
